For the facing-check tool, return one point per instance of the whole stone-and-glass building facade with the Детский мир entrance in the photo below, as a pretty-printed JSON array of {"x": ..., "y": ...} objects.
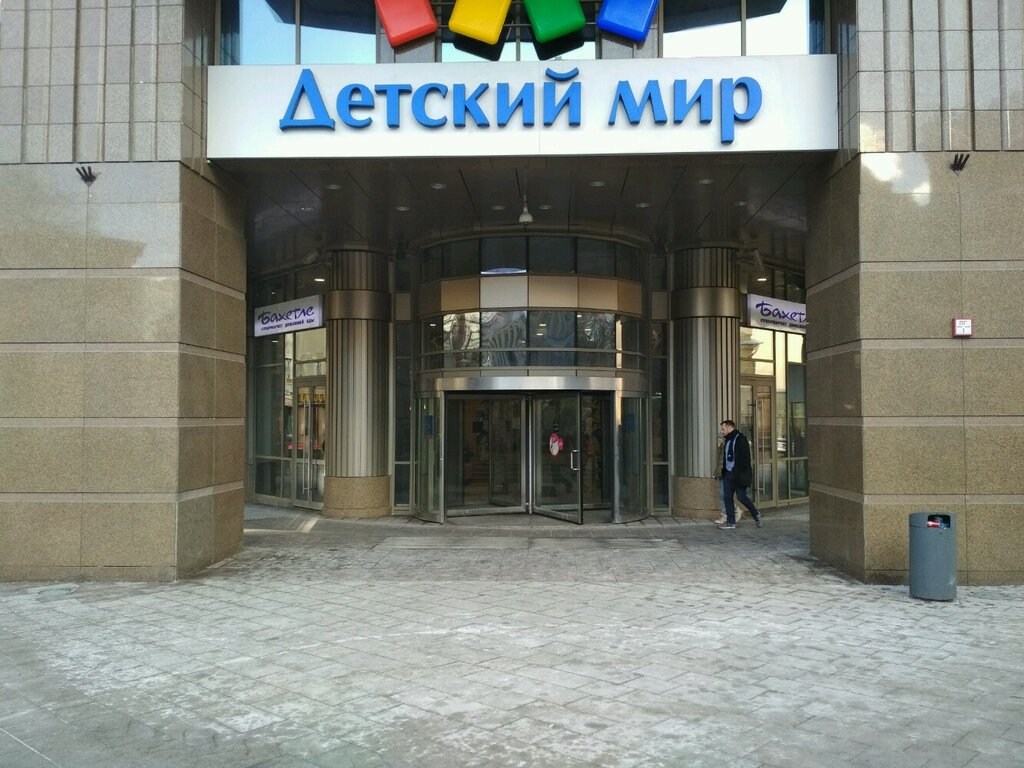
[{"x": 535, "y": 262}]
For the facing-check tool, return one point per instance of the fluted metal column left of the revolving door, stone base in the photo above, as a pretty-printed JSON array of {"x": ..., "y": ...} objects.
[{"x": 358, "y": 310}]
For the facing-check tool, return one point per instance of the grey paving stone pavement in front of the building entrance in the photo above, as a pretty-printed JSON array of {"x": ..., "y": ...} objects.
[{"x": 499, "y": 643}]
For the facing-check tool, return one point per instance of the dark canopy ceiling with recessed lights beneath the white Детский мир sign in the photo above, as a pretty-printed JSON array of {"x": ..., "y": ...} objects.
[{"x": 298, "y": 210}]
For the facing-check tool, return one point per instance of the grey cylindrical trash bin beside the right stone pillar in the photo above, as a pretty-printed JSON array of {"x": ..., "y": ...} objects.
[{"x": 933, "y": 556}]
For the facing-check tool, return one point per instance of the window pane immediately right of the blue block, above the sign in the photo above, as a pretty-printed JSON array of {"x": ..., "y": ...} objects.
[{"x": 701, "y": 28}]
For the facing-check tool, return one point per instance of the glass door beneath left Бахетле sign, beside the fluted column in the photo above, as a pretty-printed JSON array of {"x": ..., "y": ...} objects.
[{"x": 309, "y": 444}]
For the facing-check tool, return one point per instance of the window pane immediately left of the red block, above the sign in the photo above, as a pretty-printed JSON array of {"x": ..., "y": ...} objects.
[{"x": 335, "y": 32}]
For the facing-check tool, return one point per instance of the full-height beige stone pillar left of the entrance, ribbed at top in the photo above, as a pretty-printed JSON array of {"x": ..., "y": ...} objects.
[{"x": 122, "y": 360}]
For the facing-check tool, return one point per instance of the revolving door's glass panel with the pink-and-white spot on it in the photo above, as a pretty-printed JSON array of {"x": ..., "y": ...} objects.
[{"x": 558, "y": 457}]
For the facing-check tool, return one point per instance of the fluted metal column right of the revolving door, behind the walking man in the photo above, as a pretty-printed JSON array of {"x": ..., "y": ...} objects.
[{"x": 706, "y": 350}]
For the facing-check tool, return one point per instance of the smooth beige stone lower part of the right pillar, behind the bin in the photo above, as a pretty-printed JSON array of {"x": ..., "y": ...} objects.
[{"x": 904, "y": 417}]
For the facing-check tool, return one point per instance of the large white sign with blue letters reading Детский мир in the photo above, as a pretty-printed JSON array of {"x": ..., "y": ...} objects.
[{"x": 631, "y": 107}]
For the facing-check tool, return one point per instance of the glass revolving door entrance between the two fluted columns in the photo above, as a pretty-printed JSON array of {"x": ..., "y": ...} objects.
[{"x": 572, "y": 456}]
